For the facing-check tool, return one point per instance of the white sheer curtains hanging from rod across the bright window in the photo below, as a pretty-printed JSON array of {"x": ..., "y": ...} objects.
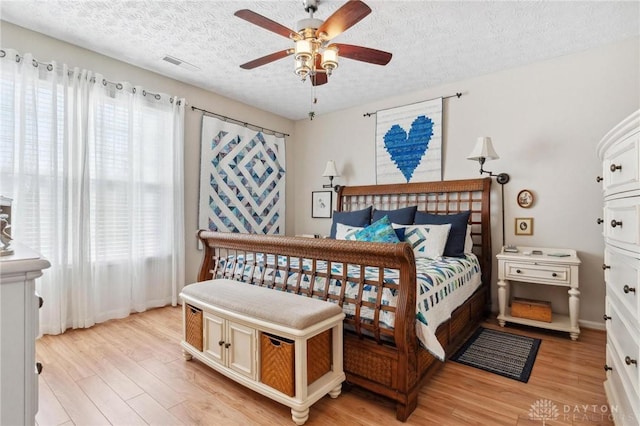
[{"x": 95, "y": 170}]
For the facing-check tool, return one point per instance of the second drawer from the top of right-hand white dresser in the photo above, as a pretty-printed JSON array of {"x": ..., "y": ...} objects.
[{"x": 621, "y": 220}]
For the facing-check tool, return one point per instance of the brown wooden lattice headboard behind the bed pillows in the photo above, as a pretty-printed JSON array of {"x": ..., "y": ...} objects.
[{"x": 439, "y": 197}]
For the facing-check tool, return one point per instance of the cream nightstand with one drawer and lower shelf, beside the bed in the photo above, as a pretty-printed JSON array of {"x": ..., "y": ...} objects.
[{"x": 556, "y": 267}]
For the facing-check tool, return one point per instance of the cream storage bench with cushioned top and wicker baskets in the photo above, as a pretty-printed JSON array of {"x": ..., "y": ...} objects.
[{"x": 284, "y": 346}]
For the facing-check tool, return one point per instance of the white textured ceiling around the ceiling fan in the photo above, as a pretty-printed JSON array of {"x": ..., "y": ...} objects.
[{"x": 432, "y": 42}]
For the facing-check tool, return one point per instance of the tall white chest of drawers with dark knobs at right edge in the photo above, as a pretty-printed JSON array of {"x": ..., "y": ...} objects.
[{"x": 620, "y": 153}]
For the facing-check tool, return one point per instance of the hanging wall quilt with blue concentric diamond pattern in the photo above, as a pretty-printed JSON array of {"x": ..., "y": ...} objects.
[{"x": 242, "y": 179}]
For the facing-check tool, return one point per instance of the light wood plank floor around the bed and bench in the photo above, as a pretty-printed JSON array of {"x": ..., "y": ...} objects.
[{"x": 131, "y": 371}]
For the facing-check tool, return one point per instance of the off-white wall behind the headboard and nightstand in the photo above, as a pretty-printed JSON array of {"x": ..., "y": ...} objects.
[{"x": 545, "y": 120}]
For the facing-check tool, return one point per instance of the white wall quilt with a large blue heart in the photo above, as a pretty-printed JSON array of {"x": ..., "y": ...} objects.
[{"x": 409, "y": 143}]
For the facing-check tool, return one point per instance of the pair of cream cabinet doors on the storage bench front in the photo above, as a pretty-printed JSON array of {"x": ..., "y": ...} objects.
[{"x": 231, "y": 344}]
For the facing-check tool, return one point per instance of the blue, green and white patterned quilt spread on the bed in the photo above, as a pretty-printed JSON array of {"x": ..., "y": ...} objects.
[{"x": 443, "y": 284}]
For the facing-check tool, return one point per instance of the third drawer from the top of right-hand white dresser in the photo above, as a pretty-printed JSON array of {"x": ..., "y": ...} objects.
[{"x": 621, "y": 276}]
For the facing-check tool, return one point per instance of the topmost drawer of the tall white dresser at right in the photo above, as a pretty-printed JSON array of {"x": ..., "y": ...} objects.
[{"x": 620, "y": 165}]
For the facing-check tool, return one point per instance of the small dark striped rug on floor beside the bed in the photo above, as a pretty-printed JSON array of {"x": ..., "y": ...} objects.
[{"x": 506, "y": 354}]
